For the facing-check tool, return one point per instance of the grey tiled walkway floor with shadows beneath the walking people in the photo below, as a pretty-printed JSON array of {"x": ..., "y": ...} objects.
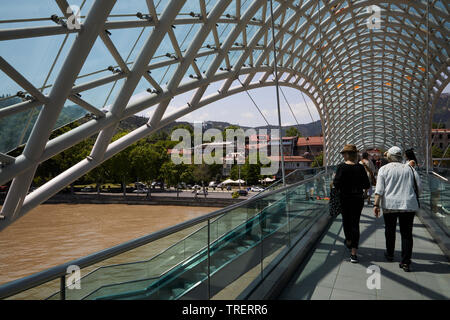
[{"x": 328, "y": 274}]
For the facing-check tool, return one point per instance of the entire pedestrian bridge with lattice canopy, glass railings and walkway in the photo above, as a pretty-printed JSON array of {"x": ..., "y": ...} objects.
[{"x": 373, "y": 69}]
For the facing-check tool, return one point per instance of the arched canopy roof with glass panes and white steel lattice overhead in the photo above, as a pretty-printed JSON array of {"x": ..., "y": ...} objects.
[{"x": 374, "y": 69}]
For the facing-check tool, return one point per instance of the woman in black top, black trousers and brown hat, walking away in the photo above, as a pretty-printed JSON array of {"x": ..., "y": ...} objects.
[{"x": 351, "y": 180}]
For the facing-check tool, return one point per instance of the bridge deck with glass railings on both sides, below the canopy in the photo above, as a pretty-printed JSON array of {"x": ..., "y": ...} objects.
[{"x": 281, "y": 243}]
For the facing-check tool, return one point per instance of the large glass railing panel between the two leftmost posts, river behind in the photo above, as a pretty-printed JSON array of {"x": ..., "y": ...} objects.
[{"x": 131, "y": 275}]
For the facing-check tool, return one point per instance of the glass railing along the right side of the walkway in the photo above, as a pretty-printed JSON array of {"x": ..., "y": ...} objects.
[{"x": 435, "y": 198}]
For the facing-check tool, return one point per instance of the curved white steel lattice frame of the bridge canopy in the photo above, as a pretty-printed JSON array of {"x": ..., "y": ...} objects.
[{"x": 373, "y": 88}]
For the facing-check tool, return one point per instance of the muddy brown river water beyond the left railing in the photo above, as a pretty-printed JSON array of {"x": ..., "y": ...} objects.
[{"x": 54, "y": 234}]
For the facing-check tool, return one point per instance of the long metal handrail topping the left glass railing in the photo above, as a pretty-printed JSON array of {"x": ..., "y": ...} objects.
[{"x": 16, "y": 286}]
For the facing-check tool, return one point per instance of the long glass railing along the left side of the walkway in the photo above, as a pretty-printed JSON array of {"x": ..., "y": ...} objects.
[{"x": 208, "y": 257}]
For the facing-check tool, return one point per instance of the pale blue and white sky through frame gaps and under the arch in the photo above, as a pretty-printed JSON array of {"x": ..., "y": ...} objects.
[{"x": 34, "y": 57}]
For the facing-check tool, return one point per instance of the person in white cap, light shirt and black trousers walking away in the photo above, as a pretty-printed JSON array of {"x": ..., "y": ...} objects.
[{"x": 397, "y": 191}]
